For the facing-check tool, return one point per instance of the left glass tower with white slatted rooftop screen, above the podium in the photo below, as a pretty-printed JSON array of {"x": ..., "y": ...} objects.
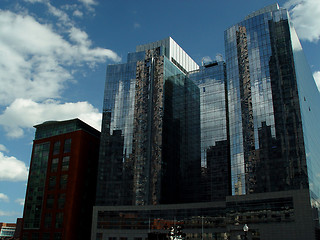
[{"x": 150, "y": 129}]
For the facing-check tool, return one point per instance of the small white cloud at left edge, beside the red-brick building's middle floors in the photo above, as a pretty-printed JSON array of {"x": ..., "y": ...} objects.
[{"x": 12, "y": 169}]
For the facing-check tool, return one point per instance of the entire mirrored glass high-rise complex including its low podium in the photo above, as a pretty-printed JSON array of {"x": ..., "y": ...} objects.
[{"x": 258, "y": 140}]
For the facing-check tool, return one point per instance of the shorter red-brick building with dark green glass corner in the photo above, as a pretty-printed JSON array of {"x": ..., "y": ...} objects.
[{"x": 62, "y": 179}]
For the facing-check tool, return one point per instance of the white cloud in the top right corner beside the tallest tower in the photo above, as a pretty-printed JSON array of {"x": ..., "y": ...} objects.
[{"x": 305, "y": 15}]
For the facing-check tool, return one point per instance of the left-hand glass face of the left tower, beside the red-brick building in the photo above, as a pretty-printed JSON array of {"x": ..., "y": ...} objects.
[{"x": 115, "y": 167}]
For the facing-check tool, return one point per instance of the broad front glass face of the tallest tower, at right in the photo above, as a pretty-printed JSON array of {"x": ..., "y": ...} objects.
[{"x": 266, "y": 137}]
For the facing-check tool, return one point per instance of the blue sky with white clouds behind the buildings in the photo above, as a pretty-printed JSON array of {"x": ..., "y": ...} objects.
[{"x": 53, "y": 57}]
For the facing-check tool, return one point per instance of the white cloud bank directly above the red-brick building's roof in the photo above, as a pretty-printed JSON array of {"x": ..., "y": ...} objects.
[{"x": 36, "y": 113}]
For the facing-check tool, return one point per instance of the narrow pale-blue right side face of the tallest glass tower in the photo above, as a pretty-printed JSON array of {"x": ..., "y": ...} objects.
[{"x": 309, "y": 99}]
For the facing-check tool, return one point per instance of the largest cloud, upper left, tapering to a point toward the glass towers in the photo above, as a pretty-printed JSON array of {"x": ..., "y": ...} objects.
[{"x": 36, "y": 62}]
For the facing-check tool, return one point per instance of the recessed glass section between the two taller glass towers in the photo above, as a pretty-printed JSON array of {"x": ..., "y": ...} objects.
[{"x": 215, "y": 160}]
